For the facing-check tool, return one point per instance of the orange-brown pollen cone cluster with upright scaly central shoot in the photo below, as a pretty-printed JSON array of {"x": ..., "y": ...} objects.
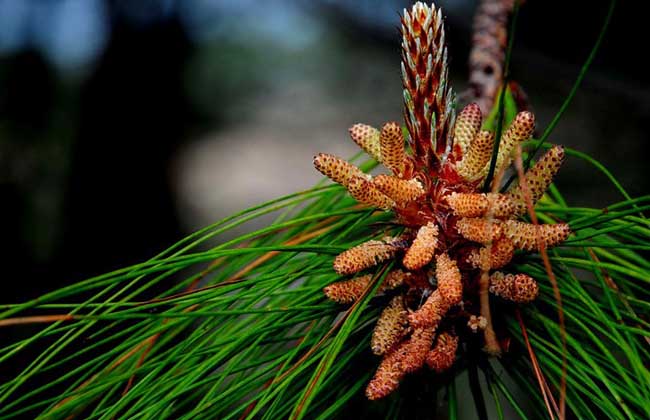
[{"x": 455, "y": 236}]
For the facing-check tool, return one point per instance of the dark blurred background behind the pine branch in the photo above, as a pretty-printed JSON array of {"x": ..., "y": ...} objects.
[{"x": 125, "y": 125}]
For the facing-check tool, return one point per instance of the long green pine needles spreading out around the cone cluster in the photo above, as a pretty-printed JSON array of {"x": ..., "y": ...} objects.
[{"x": 241, "y": 329}]
